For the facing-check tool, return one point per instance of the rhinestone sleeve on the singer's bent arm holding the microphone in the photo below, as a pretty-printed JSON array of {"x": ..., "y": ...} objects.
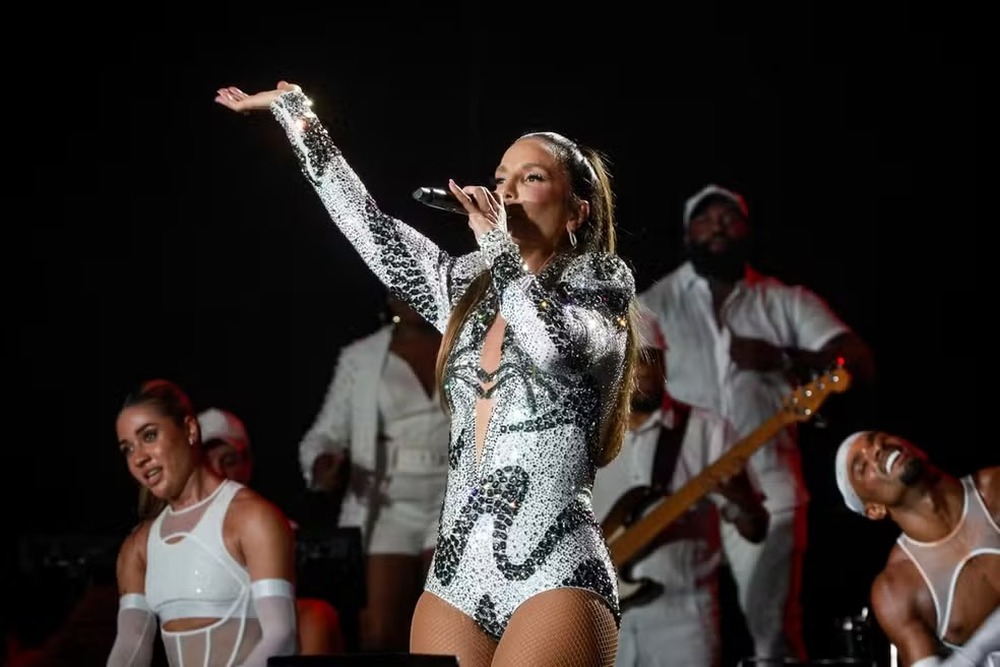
[{"x": 570, "y": 325}]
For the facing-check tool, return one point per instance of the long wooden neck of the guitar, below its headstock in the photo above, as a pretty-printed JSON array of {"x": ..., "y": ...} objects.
[{"x": 643, "y": 531}]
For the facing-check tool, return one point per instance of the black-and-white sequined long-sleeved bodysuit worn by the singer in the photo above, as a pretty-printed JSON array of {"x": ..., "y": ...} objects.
[{"x": 517, "y": 521}]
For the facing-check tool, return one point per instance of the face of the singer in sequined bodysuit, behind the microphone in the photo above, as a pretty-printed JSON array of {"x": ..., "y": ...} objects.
[{"x": 535, "y": 189}]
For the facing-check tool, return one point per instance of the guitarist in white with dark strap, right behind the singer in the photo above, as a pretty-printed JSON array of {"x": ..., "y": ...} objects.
[{"x": 667, "y": 444}]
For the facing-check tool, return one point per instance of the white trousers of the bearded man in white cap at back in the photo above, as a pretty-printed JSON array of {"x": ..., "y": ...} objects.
[{"x": 769, "y": 583}]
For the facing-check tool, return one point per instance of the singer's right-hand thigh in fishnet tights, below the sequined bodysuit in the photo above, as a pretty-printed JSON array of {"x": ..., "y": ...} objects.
[{"x": 565, "y": 627}]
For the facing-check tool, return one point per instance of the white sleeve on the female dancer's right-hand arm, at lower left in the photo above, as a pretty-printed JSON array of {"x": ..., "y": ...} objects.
[{"x": 274, "y": 600}]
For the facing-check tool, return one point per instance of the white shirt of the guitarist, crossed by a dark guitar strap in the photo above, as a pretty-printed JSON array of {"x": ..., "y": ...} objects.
[{"x": 687, "y": 565}]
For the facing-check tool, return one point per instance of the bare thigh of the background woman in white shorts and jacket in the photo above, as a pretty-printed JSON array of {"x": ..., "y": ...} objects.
[{"x": 394, "y": 582}]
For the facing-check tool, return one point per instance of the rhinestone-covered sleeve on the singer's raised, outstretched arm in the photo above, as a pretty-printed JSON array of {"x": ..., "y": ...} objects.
[{"x": 412, "y": 266}]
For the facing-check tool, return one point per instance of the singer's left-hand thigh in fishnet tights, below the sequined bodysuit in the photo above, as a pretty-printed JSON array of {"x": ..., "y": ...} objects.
[{"x": 441, "y": 629}]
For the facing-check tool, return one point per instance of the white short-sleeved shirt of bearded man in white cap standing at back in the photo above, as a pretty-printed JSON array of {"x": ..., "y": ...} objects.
[{"x": 702, "y": 373}]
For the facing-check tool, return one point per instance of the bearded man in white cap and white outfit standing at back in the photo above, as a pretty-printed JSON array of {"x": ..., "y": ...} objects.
[{"x": 738, "y": 339}]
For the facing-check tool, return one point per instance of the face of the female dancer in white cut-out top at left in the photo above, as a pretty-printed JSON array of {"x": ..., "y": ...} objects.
[{"x": 158, "y": 451}]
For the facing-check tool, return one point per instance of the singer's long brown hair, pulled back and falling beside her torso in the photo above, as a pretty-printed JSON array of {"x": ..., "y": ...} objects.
[{"x": 590, "y": 181}]
